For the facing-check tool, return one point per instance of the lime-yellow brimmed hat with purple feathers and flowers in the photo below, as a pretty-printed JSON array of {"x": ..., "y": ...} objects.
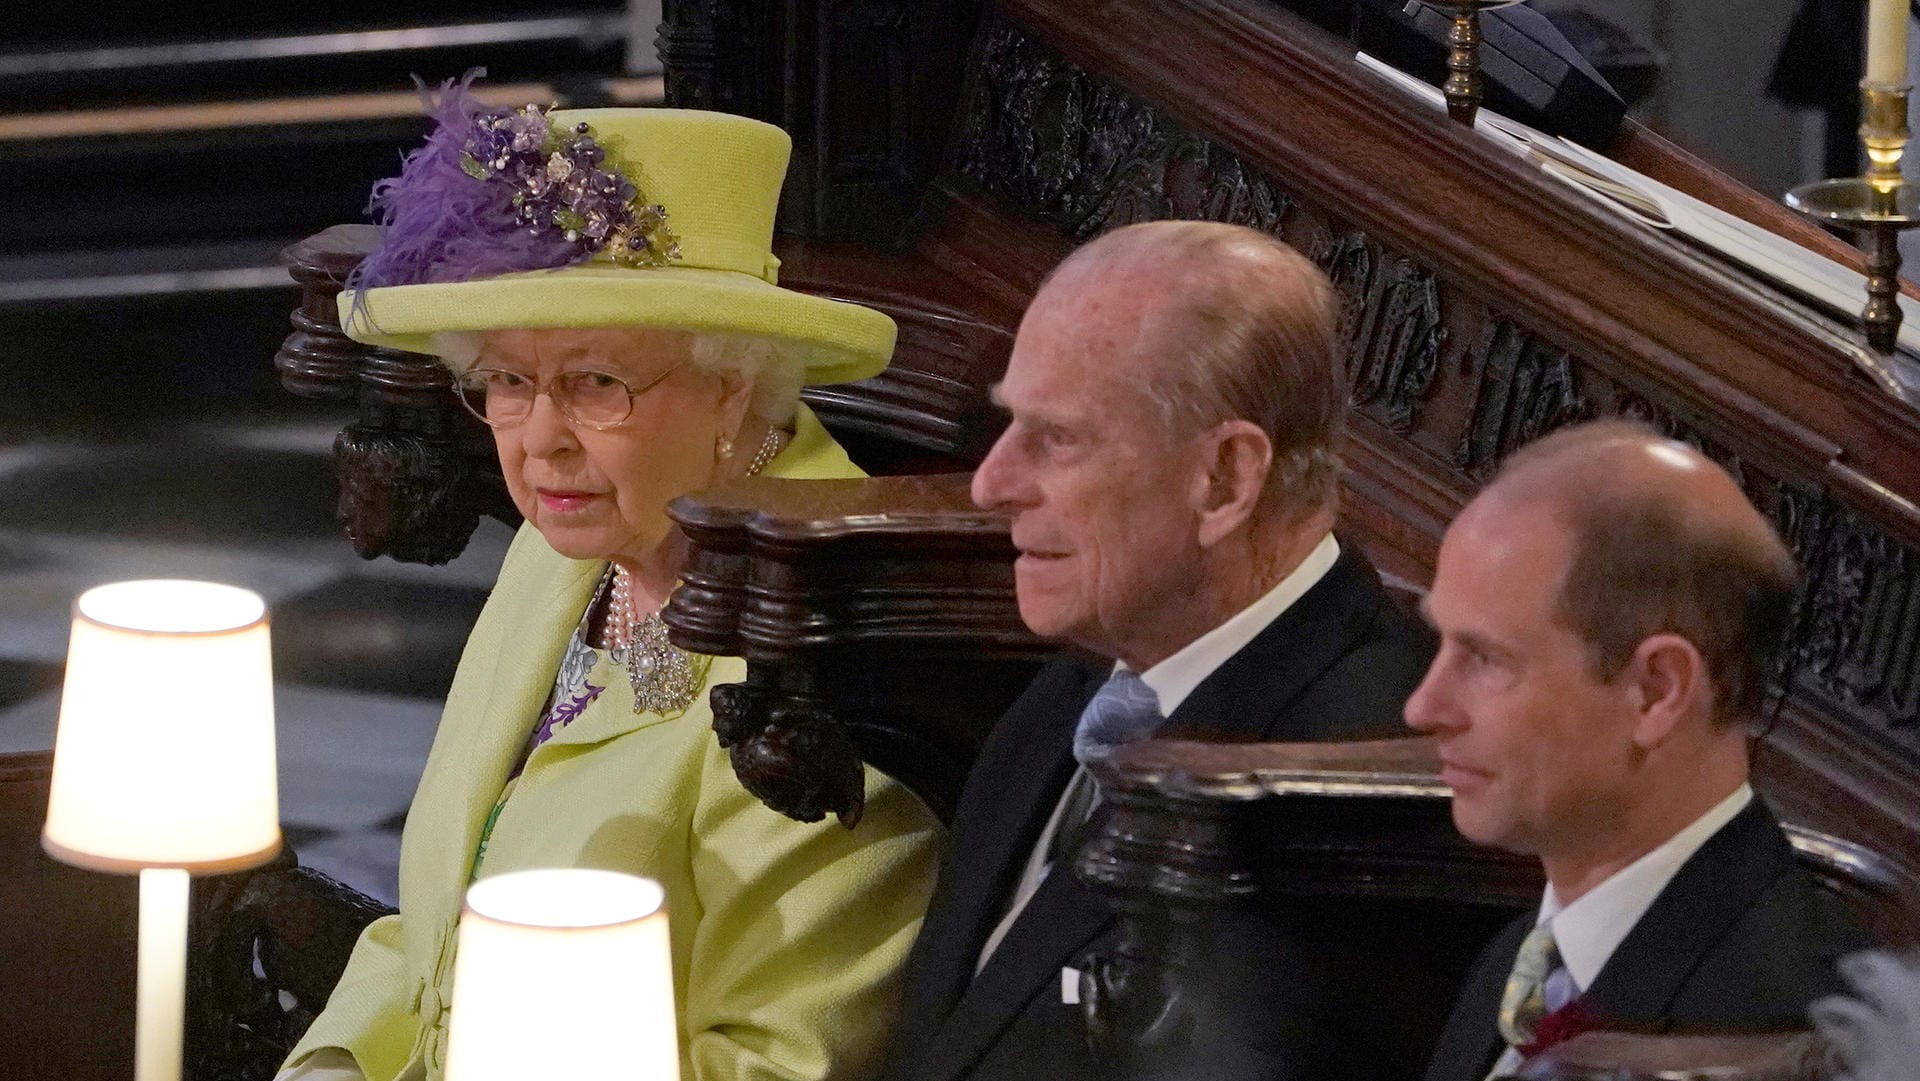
[{"x": 596, "y": 218}]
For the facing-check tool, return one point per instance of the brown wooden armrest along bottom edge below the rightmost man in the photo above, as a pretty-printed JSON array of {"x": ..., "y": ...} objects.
[{"x": 1633, "y": 1057}]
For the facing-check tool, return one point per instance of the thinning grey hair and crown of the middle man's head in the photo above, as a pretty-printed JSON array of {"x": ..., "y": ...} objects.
[{"x": 1253, "y": 333}]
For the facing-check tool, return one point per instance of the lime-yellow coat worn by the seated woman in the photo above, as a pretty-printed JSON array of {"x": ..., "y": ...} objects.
[{"x": 788, "y": 938}]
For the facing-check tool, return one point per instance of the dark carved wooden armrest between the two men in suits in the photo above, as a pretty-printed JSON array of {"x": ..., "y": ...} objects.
[{"x": 1270, "y": 884}]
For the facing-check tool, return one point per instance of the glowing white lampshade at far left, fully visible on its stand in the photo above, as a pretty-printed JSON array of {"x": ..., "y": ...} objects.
[{"x": 164, "y": 754}]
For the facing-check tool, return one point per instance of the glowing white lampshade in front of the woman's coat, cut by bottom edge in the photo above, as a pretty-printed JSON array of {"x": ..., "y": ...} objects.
[{"x": 564, "y": 974}]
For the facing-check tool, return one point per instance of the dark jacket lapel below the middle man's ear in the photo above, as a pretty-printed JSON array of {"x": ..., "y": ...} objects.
[{"x": 1249, "y": 698}]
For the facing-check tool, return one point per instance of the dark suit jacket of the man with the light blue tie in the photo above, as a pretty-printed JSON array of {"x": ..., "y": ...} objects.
[{"x": 1337, "y": 665}]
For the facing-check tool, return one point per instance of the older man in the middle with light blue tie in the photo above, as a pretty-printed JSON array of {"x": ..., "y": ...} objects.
[{"x": 1170, "y": 473}]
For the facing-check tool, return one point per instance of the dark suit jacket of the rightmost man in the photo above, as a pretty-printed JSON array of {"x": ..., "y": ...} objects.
[{"x": 1742, "y": 940}]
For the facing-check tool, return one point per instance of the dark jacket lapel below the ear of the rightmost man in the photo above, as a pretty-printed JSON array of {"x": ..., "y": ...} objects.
[{"x": 1714, "y": 890}]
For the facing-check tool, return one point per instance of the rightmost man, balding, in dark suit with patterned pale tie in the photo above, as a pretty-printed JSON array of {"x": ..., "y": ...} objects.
[{"x": 1608, "y": 612}]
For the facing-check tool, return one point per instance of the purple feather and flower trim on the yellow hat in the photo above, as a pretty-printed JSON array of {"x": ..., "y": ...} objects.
[{"x": 508, "y": 191}]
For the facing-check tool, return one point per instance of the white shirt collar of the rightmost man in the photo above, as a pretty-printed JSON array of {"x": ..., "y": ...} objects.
[{"x": 1589, "y": 930}]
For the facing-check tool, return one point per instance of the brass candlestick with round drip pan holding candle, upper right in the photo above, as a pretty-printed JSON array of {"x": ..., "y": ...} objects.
[{"x": 1879, "y": 204}]
